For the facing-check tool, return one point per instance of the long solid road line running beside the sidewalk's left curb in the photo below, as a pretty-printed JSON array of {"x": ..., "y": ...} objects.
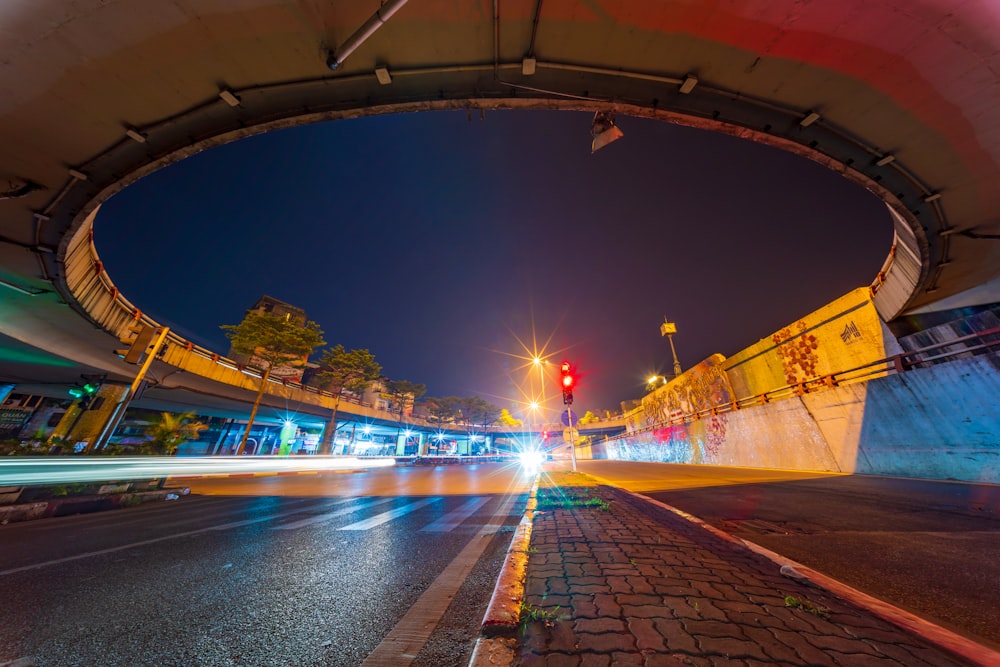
[{"x": 404, "y": 642}]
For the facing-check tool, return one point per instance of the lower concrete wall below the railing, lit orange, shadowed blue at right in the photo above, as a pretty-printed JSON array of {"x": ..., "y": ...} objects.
[{"x": 941, "y": 422}]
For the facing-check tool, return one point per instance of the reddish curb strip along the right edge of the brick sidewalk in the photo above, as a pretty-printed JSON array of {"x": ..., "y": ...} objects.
[{"x": 930, "y": 632}]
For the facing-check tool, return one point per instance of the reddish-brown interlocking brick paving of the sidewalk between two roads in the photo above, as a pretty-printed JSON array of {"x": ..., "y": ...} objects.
[{"x": 638, "y": 585}]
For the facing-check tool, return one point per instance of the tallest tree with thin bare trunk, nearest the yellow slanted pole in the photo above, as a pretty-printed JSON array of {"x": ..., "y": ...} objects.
[{"x": 272, "y": 341}]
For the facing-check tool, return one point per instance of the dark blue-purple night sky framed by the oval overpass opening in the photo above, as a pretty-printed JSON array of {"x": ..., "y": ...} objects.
[{"x": 452, "y": 248}]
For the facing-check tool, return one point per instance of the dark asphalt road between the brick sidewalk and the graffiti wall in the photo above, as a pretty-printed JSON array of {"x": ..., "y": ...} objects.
[{"x": 930, "y": 547}]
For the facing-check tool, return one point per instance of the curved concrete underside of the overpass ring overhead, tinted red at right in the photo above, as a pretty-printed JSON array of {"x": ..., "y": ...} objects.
[{"x": 900, "y": 95}]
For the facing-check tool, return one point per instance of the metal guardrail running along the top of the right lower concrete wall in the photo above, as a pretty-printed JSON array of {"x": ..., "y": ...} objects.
[{"x": 894, "y": 365}]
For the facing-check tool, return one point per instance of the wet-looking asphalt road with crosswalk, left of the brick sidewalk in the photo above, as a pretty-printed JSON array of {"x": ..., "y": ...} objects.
[{"x": 331, "y": 569}]
